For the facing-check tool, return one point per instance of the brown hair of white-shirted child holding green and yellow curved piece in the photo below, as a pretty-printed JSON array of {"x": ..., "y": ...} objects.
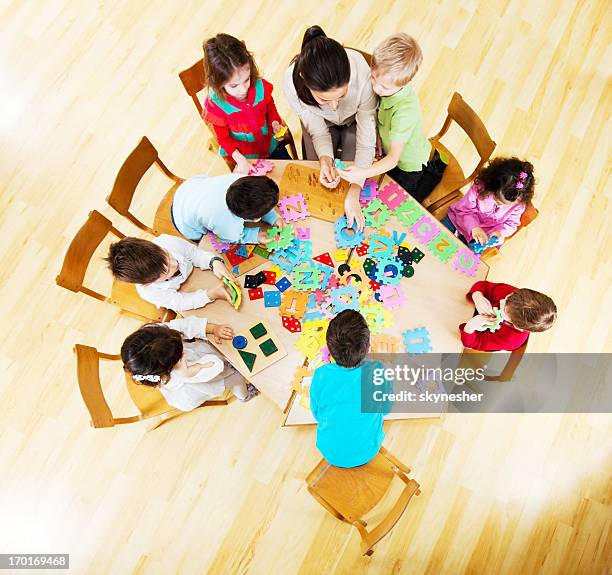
[{"x": 135, "y": 260}]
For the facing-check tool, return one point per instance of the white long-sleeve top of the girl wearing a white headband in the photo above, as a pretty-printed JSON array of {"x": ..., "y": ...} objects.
[{"x": 187, "y": 393}]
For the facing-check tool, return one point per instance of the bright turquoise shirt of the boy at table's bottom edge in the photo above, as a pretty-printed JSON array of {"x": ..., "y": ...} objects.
[{"x": 346, "y": 437}]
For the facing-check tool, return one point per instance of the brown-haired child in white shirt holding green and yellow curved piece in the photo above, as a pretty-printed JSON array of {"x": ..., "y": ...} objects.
[{"x": 159, "y": 268}]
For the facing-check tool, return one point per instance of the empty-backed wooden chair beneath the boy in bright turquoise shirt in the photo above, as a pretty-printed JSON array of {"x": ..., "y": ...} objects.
[{"x": 348, "y": 494}]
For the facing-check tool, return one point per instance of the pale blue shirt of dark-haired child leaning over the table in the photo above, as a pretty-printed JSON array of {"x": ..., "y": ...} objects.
[{"x": 199, "y": 205}]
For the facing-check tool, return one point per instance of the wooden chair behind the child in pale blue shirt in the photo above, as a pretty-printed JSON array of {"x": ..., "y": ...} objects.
[{"x": 142, "y": 157}]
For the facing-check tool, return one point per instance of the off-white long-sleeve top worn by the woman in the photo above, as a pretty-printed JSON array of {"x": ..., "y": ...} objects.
[{"x": 360, "y": 103}]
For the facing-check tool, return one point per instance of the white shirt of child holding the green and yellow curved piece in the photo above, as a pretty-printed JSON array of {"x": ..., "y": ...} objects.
[{"x": 165, "y": 293}]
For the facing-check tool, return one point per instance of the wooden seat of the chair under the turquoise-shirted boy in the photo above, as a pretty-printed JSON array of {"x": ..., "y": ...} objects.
[{"x": 352, "y": 491}]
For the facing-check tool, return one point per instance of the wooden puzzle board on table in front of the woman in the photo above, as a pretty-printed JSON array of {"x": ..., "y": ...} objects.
[{"x": 322, "y": 202}]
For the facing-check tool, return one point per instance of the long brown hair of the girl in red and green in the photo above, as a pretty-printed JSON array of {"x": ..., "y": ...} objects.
[{"x": 223, "y": 55}]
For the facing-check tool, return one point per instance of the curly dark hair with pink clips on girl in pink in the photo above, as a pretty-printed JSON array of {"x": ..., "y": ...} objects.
[{"x": 501, "y": 177}]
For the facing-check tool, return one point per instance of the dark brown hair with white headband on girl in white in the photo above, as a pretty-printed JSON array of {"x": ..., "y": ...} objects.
[{"x": 152, "y": 350}]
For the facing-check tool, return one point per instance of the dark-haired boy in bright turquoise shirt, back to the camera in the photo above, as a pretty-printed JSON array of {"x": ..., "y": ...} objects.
[{"x": 346, "y": 436}]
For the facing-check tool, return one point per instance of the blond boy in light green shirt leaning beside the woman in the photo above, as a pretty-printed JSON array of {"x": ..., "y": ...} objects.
[{"x": 400, "y": 126}]
